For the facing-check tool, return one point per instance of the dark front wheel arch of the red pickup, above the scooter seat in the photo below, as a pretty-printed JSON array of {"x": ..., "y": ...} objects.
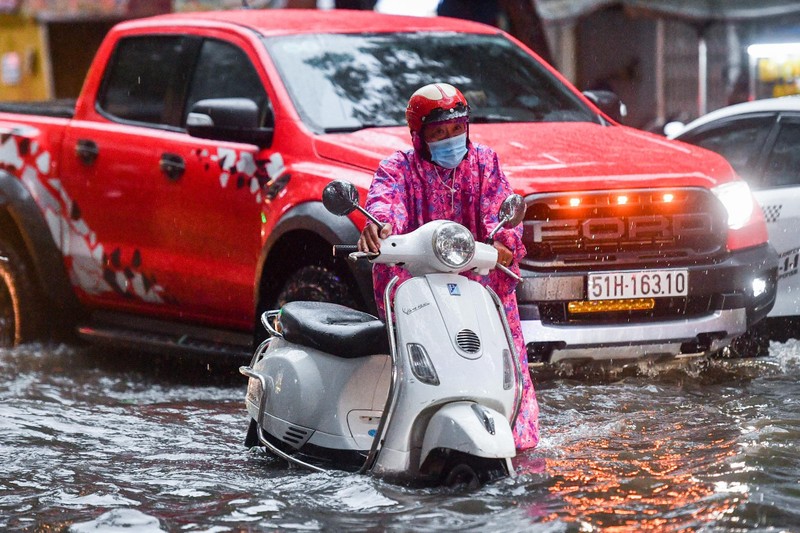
[{"x": 305, "y": 234}]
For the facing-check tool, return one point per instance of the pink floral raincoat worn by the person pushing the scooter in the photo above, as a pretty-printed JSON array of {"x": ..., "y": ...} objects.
[{"x": 408, "y": 191}]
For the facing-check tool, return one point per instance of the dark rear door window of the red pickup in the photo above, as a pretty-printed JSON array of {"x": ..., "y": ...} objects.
[{"x": 144, "y": 80}]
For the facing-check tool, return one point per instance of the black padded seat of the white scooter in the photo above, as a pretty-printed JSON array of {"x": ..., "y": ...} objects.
[{"x": 333, "y": 328}]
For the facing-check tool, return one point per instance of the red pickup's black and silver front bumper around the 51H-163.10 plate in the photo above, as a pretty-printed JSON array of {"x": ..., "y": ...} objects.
[{"x": 724, "y": 299}]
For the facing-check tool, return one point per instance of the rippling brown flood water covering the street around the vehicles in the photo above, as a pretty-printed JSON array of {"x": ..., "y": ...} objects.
[{"x": 93, "y": 441}]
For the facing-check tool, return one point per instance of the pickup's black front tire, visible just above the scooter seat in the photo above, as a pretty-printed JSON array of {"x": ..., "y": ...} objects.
[{"x": 317, "y": 283}]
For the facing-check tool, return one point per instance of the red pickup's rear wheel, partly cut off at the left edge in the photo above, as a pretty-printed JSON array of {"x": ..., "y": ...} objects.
[{"x": 20, "y": 308}]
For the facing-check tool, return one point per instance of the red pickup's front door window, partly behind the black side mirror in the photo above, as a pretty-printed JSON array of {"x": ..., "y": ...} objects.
[{"x": 225, "y": 71}]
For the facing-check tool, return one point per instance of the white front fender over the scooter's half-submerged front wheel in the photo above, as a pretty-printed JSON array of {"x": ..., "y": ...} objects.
[{"x": 470, "y": 428}]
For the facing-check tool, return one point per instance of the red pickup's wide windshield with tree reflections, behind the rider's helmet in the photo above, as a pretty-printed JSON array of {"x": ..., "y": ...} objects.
[{"x": 346, "y": 82}]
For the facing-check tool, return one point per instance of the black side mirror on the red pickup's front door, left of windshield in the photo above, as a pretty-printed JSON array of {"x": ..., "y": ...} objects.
[{"x": 228, "y": 119}]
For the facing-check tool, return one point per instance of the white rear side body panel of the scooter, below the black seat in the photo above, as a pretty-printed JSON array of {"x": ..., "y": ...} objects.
[{"x": 317, "y": 398}]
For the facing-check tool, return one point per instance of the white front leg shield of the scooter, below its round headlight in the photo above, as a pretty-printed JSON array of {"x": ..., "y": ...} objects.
[{"x": 456, "y": 322}]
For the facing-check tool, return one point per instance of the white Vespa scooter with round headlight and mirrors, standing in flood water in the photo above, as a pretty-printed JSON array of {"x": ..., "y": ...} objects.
[{"x": 431, "y": 396}]
